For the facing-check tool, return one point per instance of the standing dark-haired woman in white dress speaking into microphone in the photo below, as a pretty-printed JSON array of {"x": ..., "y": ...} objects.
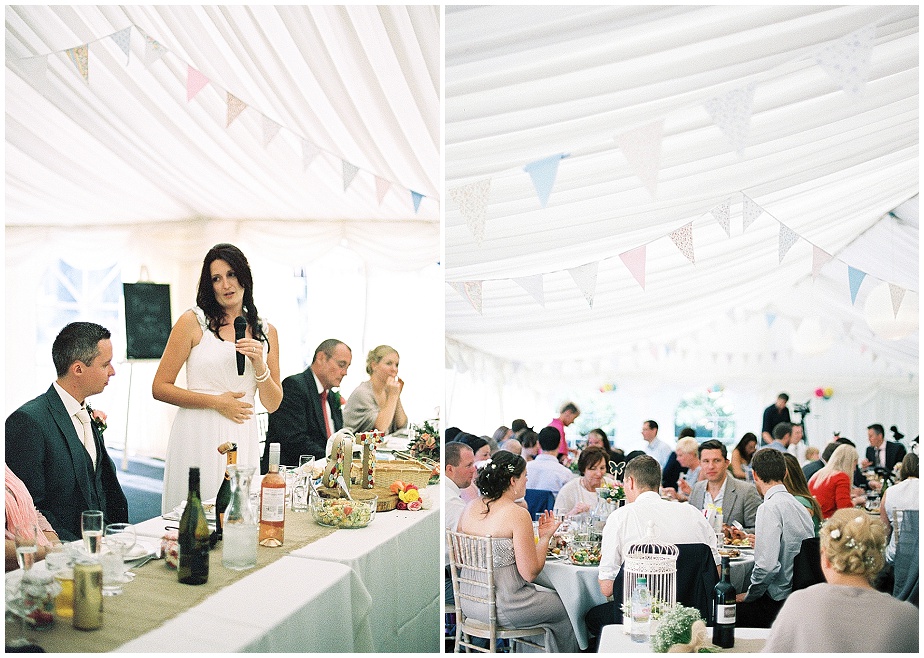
[{"x": 217, "y": 405}]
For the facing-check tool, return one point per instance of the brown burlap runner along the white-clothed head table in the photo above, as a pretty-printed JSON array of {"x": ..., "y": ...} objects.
[{"x": 156, "y": 596}]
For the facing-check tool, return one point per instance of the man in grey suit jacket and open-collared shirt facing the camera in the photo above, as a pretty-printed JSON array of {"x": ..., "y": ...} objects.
[{"x": 739, "y": 500}]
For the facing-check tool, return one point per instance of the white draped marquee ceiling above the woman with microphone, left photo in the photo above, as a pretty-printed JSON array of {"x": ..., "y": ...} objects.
[{"x": 357, "y": 84}]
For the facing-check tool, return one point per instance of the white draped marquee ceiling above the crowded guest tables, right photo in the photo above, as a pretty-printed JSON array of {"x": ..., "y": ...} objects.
[{"x": 525, "y": 83}]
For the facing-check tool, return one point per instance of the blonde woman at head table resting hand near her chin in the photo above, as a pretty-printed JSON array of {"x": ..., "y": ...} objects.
[{"x": 376, "y": 403}]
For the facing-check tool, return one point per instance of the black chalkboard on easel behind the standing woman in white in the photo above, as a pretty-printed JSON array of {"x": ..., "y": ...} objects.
[{"x": 147, "y": 319}]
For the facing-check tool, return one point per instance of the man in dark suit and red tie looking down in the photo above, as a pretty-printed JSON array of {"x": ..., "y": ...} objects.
[{"x": 309, "y": 412}]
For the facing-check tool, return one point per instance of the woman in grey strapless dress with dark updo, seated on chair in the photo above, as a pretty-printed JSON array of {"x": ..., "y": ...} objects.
[{"x": 518, "y": 559}]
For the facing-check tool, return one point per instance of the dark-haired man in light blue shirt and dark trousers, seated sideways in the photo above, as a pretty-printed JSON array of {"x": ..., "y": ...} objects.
[{"x": 782, "y": 523}]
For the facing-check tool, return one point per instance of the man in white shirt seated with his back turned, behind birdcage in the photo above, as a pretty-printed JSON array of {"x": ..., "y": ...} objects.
[{"x": 672, "y": 523}]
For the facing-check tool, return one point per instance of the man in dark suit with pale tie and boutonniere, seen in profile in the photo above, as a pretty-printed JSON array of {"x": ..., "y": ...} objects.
[{"x": 53, "y": 445}]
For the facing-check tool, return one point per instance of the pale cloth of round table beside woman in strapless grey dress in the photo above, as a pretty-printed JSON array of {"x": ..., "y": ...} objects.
[{"x": 579, "y": 587}]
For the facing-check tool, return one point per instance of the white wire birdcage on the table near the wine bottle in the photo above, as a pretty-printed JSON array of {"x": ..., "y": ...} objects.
[{"x": 657, "y": 562}]
